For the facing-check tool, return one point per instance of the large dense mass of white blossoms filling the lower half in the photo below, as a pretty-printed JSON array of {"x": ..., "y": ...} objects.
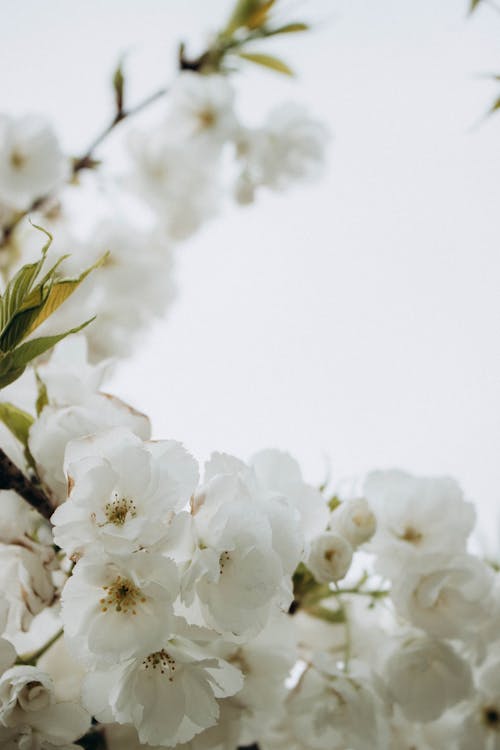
[{"x": 234, "y": 607}]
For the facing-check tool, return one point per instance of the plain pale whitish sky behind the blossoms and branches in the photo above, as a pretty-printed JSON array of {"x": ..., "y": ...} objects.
[{"x": 355, "y": 322}]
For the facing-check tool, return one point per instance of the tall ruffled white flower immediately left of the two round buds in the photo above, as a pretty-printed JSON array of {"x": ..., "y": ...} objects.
[{"x": 247, "y": 544}]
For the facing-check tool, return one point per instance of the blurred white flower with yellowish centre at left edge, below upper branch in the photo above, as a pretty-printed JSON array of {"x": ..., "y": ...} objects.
[{"x": 31, "y": 161}]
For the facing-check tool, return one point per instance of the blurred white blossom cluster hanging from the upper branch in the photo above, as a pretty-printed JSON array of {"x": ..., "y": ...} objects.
[{"x": 178, "y": 176}]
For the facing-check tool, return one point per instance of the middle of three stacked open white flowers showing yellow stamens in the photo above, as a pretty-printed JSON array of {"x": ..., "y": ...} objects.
[{"x": 114, "y": 608}]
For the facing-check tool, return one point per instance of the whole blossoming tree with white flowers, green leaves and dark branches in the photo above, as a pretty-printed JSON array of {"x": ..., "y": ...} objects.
[{"x": 148, "y": 602}]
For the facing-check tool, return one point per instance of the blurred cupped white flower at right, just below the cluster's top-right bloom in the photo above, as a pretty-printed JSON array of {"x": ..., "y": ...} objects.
[{"x": 447, "y": 596}]
